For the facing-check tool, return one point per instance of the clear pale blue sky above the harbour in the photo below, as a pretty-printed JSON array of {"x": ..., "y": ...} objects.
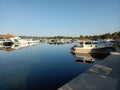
[{"x": 59, "y": 17}]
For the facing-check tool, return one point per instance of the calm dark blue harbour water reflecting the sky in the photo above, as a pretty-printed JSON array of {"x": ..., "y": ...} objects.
[{"x": 40, "y": 67}]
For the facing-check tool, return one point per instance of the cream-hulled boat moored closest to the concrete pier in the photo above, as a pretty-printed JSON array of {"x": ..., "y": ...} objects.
[{"x": 90, "y": 47}]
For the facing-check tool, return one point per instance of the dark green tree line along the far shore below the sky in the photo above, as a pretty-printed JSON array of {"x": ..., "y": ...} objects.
[{"x": 115, "y": 35}]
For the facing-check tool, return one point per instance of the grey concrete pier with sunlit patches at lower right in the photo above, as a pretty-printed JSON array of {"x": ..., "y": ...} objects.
[{"x": 105, "y": 75}]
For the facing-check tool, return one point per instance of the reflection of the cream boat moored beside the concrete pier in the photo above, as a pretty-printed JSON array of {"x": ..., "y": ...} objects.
[{"x": 88, "y": 58}]
